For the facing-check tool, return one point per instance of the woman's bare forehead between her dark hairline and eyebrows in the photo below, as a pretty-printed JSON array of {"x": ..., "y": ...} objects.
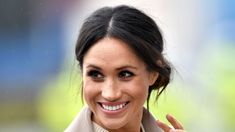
[{"x": 112, "y": 52}]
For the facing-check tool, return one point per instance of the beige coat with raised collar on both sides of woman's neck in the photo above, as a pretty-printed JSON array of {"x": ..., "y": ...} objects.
[{"x": 83, "y": 123}]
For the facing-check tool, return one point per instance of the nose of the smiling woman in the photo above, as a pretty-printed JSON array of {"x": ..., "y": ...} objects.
[{"x": 111, "y": 91}]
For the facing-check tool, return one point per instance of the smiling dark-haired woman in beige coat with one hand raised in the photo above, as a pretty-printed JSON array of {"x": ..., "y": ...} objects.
[{"x": 119, "y": 51}]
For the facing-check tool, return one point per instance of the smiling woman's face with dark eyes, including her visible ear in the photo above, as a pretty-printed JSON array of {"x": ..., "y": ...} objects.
[{"x": 115, "y": 83}]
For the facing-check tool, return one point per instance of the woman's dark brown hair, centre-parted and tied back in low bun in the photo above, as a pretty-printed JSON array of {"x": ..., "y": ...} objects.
[{"x": 137, "y": 30}]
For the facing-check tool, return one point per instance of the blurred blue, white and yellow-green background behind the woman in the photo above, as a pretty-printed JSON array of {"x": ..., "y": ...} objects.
[{"x": 40, "y": 81}]
